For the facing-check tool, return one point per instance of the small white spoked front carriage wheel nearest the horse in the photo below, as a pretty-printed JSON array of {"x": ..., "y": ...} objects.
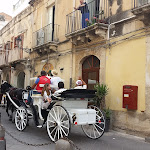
[{"x": 21, "y": 118}]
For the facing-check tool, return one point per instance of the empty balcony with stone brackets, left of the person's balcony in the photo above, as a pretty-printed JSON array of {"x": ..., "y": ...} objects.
[{"x": 46, "y": 39}]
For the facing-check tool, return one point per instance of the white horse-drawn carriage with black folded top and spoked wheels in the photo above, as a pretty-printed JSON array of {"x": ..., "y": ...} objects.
[{"x": 70, "y": 108}]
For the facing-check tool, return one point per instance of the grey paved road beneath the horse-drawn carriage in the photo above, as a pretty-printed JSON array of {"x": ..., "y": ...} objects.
[{"x": 109, "y": 141}]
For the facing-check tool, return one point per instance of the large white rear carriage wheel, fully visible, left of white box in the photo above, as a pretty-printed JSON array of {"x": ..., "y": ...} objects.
[{"x": 58, "y": 123}]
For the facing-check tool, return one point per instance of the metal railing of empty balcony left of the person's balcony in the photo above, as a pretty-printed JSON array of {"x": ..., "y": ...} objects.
[{"x": 46, "y": 35}]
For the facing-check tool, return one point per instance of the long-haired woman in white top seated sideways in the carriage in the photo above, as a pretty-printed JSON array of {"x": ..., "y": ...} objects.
[{"x": 46, "y": 93}]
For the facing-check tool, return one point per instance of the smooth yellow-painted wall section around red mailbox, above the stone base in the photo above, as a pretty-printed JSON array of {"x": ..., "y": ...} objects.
[{"x": 125, "y": 65}]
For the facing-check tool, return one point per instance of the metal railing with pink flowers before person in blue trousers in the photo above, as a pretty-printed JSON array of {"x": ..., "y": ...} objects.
[{"x": 96, "y": 11}]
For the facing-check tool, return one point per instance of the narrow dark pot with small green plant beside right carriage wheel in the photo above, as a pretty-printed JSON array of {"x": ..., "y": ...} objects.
[{"x": 107, "y": 119}]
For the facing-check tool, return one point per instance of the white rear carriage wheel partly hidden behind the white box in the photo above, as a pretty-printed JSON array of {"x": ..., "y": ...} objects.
[{"x": 96, "y": 130}]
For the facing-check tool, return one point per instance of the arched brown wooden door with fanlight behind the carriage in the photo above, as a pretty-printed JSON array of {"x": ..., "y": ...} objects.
[{"x": 90, "y": 71}]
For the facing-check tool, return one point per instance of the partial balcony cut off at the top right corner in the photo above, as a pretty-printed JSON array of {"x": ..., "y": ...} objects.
[{"x": 141, "y": 8}]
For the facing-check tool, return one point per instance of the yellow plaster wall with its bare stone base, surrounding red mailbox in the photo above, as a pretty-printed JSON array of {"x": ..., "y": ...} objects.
[{"x": 125, "y": 65}]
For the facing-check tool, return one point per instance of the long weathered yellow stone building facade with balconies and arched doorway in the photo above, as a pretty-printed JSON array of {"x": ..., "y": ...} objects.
[{"x": 112, "y": 48}]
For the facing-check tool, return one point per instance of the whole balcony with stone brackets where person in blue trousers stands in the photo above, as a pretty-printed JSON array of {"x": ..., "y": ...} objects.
[{"x": 88, "y": 22}]
